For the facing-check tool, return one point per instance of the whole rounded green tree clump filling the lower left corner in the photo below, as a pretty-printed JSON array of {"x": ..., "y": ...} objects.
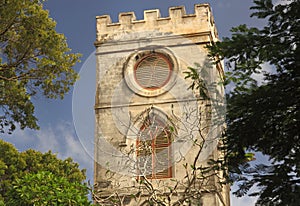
[{"x": 34, "y": 178}]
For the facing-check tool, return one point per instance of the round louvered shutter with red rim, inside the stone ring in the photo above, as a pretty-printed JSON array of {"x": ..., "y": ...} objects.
[{"x": 153, "y": 71}]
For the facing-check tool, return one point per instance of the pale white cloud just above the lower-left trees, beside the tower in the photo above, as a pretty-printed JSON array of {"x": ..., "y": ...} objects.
[{"x": 60, "y": 139}]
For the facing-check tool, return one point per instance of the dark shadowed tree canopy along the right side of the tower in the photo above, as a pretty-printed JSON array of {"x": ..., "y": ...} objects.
[{"x": 265, "y": 118}]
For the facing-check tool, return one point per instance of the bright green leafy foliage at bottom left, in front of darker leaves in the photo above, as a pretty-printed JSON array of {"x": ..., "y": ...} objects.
[{"x": 45, "y": 188}]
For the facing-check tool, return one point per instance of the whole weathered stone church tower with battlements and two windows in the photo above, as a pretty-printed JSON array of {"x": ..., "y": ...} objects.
[{"x": 156, "y": 132}]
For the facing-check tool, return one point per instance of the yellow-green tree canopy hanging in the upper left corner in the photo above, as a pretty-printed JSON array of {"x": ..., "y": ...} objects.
[{"x": 34, "y": 59}]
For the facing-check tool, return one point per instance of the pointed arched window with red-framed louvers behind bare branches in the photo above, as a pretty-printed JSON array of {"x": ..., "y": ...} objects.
[{"x": 153, "y": 148}]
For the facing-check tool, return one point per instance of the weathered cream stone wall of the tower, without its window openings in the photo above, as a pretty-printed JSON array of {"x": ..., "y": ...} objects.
[{"x": 119, "y": 103}]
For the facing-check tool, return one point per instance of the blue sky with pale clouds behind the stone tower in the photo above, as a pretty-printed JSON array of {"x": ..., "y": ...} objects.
[{"x": 67, "y": 126}]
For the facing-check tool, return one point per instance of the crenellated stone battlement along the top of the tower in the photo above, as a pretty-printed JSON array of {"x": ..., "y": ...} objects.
[{"x": 178, "y": 22}]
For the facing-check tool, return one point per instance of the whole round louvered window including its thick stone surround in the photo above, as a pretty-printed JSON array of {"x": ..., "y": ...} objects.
[{"x": 151, "y": 72}]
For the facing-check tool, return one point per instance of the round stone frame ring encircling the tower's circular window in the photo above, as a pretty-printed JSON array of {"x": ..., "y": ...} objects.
[{"x": 136, "y": 59}]
